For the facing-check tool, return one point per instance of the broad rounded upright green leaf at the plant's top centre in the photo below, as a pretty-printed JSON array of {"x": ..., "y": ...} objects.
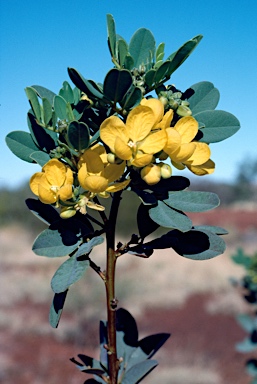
[{"x": 141, "y": 45}]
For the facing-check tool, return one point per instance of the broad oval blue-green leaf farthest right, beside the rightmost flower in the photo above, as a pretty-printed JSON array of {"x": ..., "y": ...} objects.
[{"x": 218, "y": 125}]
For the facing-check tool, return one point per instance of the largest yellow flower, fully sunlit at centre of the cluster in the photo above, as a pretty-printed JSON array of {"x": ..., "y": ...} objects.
[{"x": 141, "y": 137}]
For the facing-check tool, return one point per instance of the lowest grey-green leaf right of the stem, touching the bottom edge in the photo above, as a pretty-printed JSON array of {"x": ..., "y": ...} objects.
[{"x": 138, "y": 371}]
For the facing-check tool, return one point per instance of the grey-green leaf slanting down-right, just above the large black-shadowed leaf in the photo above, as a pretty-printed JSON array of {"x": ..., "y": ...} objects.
[{"x": 167, "y": 217}]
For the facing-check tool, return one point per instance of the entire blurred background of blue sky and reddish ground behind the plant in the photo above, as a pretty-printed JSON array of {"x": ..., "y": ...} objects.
[{"x": 194, "y": 301}]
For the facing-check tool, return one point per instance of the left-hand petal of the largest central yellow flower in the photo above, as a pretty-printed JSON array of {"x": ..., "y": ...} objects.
[{"x": 110, "y": 129}]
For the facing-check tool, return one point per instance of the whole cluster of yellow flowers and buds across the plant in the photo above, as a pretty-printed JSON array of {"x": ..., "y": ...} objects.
[{"x": 142, "y": 141}]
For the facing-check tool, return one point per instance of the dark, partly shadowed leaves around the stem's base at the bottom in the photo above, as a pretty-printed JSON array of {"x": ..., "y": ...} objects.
[{"x": 135, "y": 355}]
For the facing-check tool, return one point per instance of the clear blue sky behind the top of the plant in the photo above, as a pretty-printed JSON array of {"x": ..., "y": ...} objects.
[{"x": 40, "y": 39}]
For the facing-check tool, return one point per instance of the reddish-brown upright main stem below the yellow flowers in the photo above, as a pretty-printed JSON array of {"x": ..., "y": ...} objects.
[{"x": 111, "y": 301}]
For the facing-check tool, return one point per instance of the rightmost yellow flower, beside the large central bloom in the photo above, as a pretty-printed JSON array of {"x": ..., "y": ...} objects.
[{"x": 183, "y": 151}]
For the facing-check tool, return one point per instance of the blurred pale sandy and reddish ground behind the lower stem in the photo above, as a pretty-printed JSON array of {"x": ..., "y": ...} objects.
[{"x": 193, "y": 300}]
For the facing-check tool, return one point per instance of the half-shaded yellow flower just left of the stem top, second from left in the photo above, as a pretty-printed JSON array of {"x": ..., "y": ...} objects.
[{"x": 98, "y": 176}]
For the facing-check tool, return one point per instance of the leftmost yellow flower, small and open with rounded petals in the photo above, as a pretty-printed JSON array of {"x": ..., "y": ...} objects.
[{"x": 53, "y": 183}]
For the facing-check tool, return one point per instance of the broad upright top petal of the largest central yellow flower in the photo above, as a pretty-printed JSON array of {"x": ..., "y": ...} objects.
[{"x": 139, "y": 123}]
